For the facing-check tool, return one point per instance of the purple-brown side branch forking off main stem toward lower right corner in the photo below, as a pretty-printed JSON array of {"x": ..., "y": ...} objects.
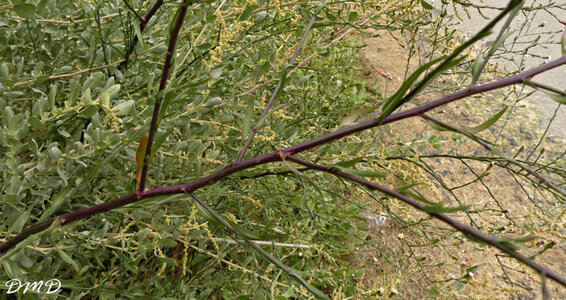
[{"x": 467, "y": 230}]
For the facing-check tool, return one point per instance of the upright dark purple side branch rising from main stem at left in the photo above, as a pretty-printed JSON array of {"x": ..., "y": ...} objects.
[{"x": 162, "y": 85}]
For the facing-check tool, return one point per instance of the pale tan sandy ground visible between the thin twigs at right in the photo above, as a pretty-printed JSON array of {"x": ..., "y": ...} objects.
[{"x": 500, "y": 278}]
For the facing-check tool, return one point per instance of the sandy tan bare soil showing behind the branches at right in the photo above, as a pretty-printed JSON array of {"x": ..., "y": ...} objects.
[{"x": 398, "y": 270}]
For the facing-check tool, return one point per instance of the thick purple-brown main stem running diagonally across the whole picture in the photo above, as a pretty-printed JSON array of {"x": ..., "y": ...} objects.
[{"x": 279, "y": 155}]
